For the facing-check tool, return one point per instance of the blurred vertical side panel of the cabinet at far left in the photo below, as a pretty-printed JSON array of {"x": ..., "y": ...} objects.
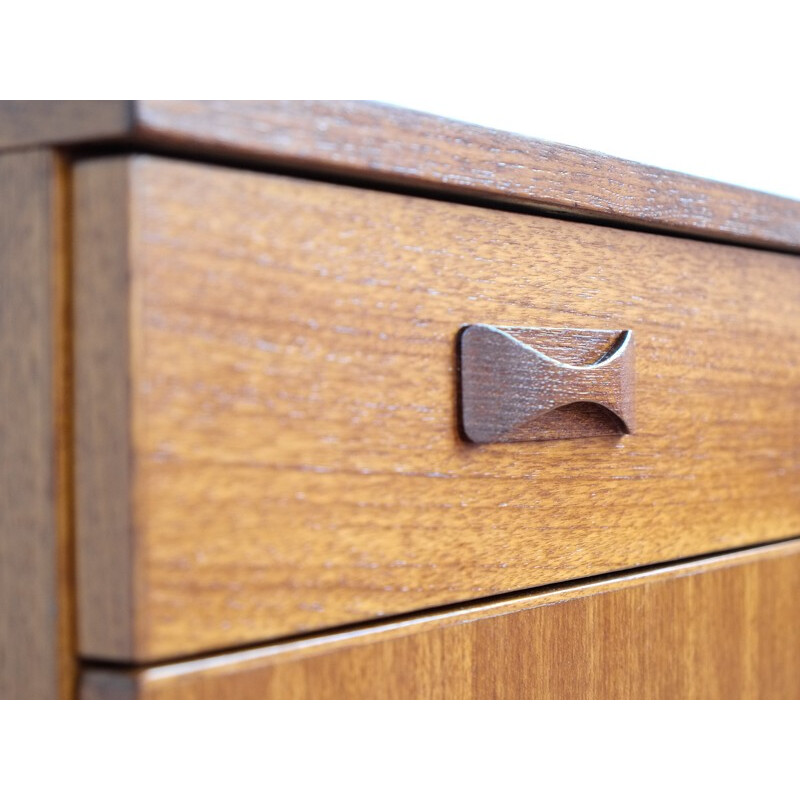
[{"x": 36, "y": 641}]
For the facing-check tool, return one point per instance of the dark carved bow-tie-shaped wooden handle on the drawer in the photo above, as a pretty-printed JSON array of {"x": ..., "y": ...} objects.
[{"x": 522, "y": 384}]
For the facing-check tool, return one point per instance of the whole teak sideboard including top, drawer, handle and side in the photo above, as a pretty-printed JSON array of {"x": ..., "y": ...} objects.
[{"x": 337, "y": 400}]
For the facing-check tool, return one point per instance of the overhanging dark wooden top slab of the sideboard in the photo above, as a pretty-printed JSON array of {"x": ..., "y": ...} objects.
[{"x": 398, "y": 147}]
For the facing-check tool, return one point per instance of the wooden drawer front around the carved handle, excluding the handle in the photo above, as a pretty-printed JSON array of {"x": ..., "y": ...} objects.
[{"x": 266, "y": 425}]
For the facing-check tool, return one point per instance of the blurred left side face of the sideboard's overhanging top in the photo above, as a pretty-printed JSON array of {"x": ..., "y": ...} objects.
[{"x": 24, "y": 123}]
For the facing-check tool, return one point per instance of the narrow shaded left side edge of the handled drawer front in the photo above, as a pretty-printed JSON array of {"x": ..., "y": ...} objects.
[{"x": 103, "y": 520}]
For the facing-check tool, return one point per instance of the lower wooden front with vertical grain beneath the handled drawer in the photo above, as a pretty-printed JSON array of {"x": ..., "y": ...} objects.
[{"x": 718, "y": 628}]
